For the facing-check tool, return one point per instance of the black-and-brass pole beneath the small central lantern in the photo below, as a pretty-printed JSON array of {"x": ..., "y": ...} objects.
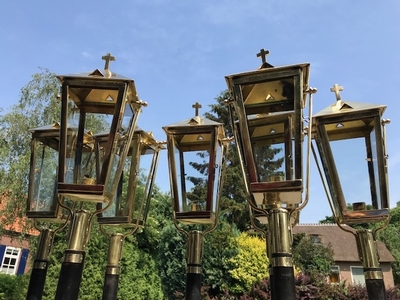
[{"x": 194, "y": 259}]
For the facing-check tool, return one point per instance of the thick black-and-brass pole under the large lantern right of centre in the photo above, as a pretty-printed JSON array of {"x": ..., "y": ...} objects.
[{"x": 283, "y": 284}]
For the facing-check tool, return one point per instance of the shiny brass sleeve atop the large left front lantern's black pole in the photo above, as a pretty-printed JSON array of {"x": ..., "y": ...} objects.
[{"x": 79, "y": 231}]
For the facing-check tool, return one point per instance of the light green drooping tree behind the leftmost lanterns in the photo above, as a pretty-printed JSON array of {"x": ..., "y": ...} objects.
[{"x": 38, "y": 106}]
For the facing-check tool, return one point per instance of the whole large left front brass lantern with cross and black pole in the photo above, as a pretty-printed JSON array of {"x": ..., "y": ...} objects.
[{"x": 91, "y": 103}]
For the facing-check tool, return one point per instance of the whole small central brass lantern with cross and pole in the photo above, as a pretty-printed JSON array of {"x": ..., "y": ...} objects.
[{"x": 196, "y": 150}]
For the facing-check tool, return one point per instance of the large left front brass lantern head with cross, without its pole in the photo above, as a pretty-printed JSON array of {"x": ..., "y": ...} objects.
[{"x": 95, "y": 102}]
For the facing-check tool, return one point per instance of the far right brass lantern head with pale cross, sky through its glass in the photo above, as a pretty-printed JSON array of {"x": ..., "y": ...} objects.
[{"x": 351, "y": 136}]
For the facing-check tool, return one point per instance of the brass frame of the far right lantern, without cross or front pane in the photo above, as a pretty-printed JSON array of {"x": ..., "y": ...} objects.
[{"x": 347, "y": 120}]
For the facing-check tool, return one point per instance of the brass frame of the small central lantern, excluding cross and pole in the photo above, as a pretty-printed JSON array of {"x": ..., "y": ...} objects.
[{"x": 188, "y": 136}]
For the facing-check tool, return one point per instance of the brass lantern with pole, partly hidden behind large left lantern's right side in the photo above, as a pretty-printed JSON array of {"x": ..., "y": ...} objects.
[{"x": 130, "y": 206}]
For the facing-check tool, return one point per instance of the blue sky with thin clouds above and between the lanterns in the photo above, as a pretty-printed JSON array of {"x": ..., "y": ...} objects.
[{"x": 178, "y": 52}]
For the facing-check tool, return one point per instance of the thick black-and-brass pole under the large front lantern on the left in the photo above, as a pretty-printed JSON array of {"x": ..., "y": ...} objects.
[{"x": 74, "y": 257}]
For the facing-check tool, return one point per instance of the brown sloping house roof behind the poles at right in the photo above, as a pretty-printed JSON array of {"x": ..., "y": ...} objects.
[{"x": 343, "y": 243}]
